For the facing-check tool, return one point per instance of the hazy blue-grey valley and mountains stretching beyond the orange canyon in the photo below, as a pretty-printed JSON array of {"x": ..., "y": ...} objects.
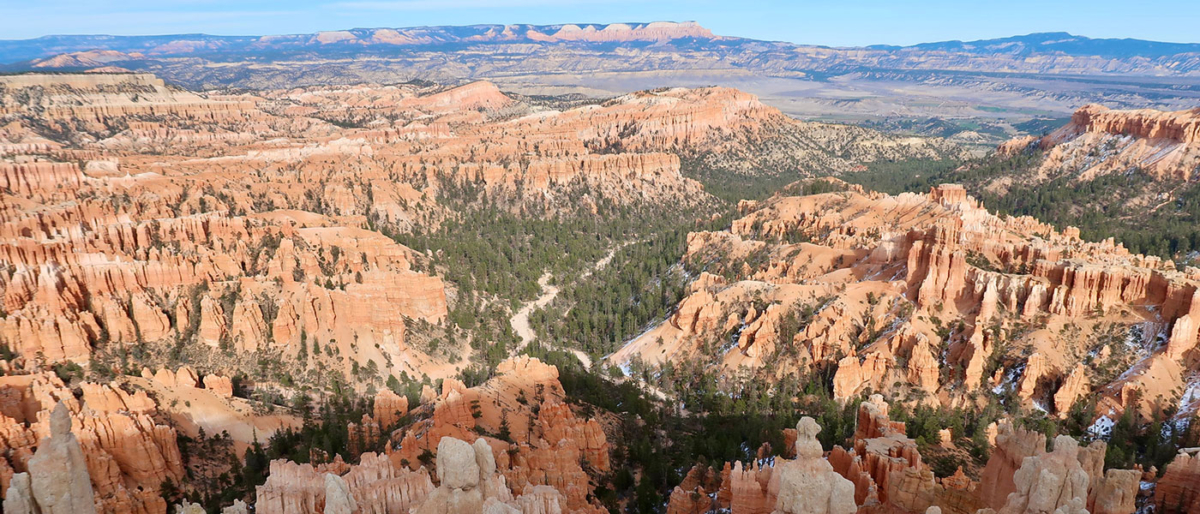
[{"x": 977, "y": 93}]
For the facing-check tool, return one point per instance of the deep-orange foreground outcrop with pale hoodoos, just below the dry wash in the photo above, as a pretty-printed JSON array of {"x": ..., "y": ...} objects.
[{"x": 538, "y": 462}]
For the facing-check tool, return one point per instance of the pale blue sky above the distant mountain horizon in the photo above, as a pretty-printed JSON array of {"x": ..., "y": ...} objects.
[{"x": 836, "y": 23}]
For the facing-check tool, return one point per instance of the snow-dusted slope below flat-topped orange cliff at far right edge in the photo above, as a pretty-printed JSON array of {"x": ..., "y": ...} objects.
[{"x": 1130, "y": 175}]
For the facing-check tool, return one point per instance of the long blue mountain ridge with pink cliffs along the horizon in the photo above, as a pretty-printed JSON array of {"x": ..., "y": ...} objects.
[{"x": 1065, "y": 44}]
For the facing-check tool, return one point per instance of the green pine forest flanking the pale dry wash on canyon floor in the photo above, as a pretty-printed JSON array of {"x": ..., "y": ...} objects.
[{"x": 495, "y": 247}]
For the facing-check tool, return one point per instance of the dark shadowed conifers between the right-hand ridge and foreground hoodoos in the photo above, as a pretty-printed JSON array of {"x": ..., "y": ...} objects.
[{"x": 715, "y": 419}]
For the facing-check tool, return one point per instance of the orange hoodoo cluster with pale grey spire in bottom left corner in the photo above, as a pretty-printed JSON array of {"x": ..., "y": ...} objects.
[{"x": 125, "y": 452}]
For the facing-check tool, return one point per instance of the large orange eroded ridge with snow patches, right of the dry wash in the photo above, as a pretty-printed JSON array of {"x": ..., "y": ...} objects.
[{"x": 929, "y": 298}]
